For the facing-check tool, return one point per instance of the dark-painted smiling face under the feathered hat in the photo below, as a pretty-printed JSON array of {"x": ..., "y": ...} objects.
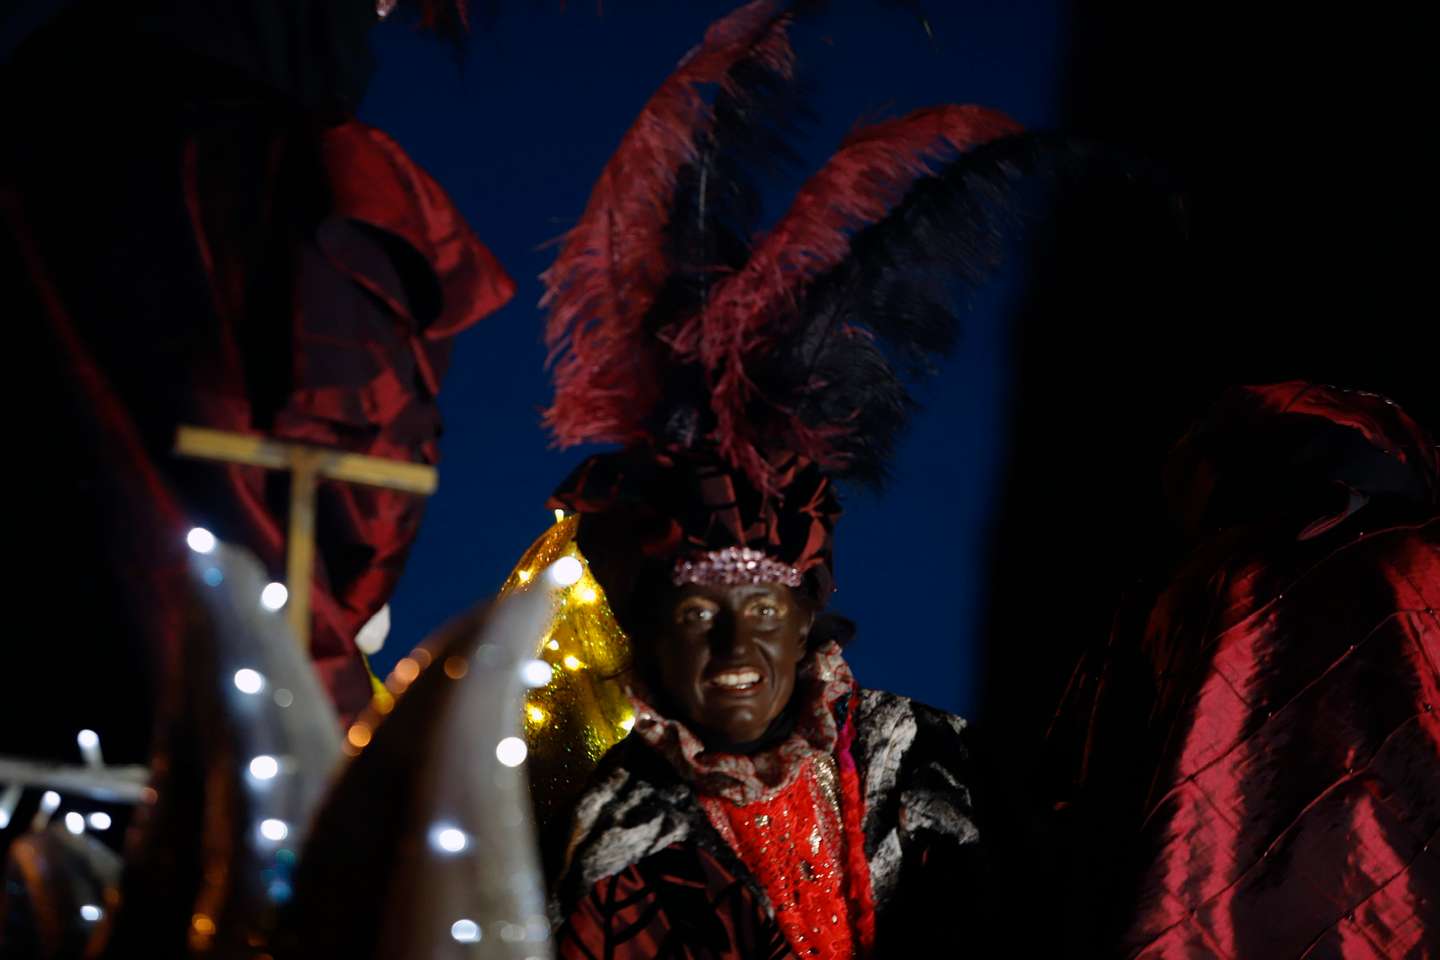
[{"x": 728, "y": 656}]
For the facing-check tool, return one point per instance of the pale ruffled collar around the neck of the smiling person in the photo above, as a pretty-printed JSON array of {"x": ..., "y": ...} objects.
[{"x": 824, "y": 693}]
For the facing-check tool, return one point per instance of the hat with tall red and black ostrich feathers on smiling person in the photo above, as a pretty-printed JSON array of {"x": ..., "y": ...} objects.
[{"x": 744, "y": 372}]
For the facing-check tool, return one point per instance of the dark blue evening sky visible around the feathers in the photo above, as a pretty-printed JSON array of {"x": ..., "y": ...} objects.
[{"x": 518, "y": 136}]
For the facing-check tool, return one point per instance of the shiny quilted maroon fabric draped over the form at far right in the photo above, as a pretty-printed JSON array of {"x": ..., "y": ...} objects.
[{"x": 1266, "y": 742}]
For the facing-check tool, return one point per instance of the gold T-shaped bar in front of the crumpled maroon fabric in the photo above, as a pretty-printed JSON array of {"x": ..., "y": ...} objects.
[{"x": 307, "y": 467}]
